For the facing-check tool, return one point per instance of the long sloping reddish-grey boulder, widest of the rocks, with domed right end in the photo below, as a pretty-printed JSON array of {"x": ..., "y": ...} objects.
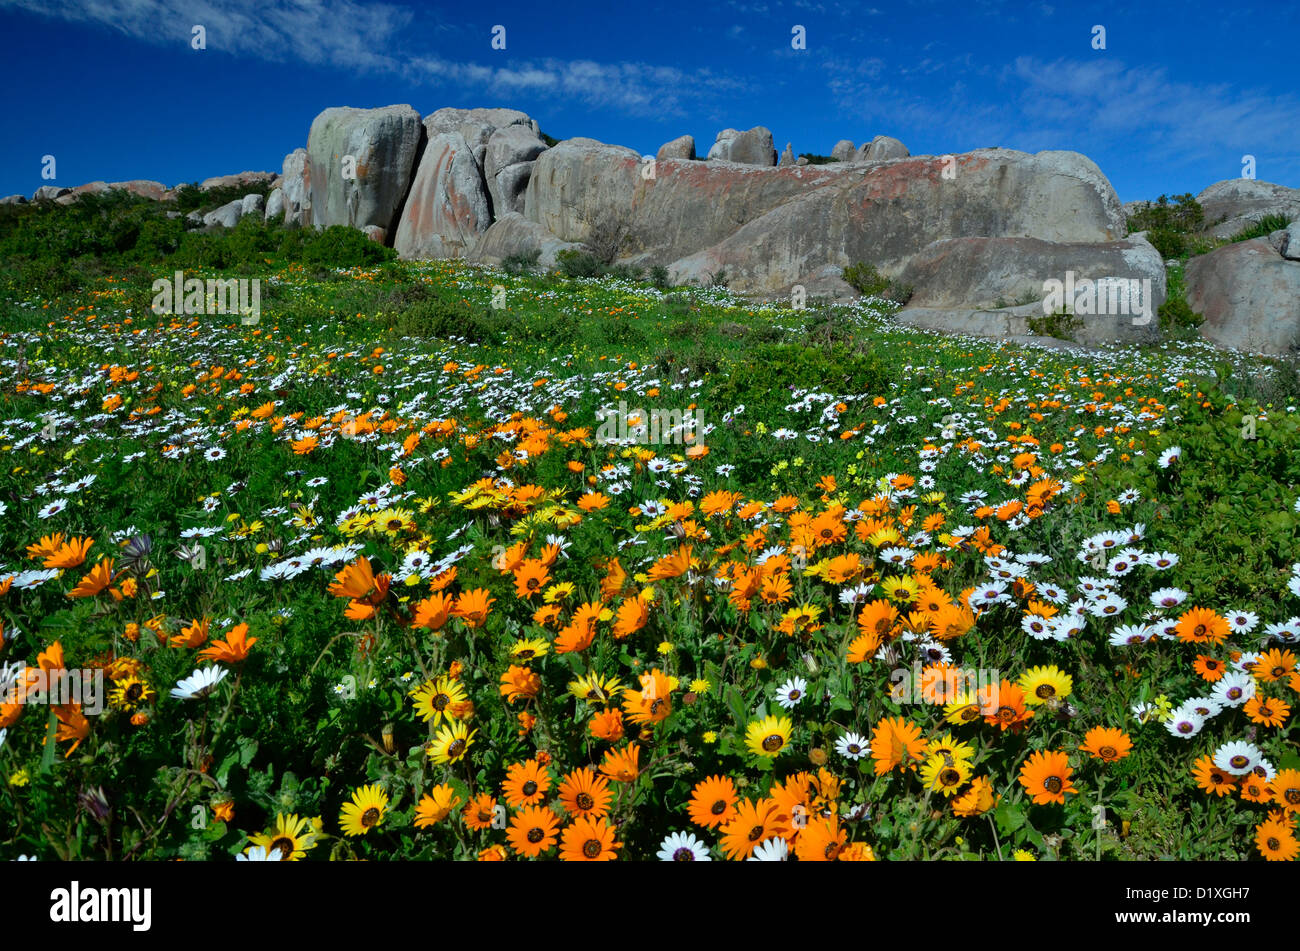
[{"x": 889, "y": 212}]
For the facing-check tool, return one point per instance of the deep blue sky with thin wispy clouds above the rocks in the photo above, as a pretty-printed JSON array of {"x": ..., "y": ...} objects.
[{"x": 114, "y": 90}]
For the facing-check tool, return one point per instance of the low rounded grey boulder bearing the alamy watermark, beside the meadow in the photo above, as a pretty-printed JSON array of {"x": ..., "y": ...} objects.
[{"x": 1115, "y": 289}]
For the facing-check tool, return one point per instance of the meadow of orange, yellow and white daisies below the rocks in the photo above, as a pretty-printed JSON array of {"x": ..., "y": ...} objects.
[{"x": 440, "y": 562}]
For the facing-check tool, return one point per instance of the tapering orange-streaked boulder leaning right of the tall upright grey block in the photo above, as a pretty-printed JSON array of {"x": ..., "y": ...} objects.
[{"x": 449, "y": 207}]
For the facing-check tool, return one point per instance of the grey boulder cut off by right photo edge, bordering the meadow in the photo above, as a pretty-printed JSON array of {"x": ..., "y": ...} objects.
[{"x": 1250, "y": 297}]
